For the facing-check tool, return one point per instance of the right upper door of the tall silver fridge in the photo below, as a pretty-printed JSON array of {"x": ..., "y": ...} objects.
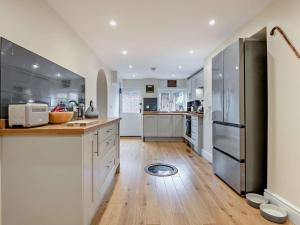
[{"x": 234, "y": 83}]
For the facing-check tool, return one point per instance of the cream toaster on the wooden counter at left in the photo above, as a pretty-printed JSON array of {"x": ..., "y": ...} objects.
[{"x": 27, "y": 115}]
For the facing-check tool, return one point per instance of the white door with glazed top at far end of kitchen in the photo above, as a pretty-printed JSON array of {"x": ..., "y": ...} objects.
[{"x": 131, "y": 112}]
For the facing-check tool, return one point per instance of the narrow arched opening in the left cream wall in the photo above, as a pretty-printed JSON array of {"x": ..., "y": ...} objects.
[{"x": 102, "y": 94}]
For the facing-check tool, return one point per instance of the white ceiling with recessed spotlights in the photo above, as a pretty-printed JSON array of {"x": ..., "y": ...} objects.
[{"x": 156, "y": 33}]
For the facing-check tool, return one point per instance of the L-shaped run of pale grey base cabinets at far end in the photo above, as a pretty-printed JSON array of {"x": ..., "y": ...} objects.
[{"x": 172, "y": 126}]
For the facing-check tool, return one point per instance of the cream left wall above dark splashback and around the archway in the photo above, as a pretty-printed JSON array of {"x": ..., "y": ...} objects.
[{"x": 33, "y": 25}]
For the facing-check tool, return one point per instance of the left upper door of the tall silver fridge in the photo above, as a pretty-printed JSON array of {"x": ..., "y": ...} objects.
[{"x": 217, "y": 88}]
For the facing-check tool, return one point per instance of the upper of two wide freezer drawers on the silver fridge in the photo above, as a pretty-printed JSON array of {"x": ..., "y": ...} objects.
[{"x": 229, "y": 139}]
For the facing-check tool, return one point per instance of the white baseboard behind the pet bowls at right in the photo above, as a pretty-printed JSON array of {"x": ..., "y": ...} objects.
[{"x": 293, "y": 211}]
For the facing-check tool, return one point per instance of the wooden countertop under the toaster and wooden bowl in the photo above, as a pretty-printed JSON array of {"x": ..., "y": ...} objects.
[{"x": 60, "y": 129}]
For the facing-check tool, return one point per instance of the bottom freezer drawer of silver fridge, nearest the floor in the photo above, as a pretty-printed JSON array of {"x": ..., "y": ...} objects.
[{"x": 229, "y": 170}]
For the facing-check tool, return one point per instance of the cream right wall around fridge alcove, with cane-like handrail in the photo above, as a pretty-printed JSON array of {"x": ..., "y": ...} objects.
[{"x": 284, "y": 106}]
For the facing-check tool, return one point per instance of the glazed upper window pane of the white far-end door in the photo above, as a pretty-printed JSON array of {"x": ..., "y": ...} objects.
[{"x": 131, "y": 100}]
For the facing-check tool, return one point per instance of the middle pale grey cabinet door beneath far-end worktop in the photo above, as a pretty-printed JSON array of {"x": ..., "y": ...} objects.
[{"x": 165, "y": 126}]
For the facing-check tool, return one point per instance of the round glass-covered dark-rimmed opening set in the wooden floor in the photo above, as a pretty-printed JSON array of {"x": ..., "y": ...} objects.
[{"x": 161, "y": 170}]
